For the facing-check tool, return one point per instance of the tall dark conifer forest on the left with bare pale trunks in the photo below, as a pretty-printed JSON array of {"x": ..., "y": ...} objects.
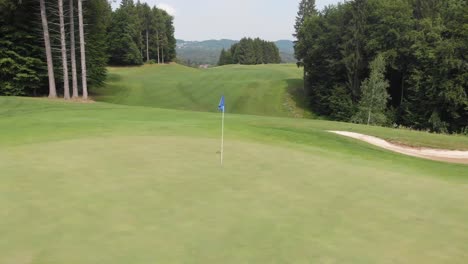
[{"x": 46, "y": 45}]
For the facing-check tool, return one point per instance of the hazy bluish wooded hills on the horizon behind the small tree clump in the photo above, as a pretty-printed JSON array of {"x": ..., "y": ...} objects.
[{"x": 207, "y": 52}]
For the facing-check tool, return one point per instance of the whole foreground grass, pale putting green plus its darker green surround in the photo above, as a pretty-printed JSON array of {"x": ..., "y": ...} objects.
[{"x": 104, "y": 183}]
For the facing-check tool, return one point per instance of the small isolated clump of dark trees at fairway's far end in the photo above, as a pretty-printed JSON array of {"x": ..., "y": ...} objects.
[{"x": 250, "y": 52}]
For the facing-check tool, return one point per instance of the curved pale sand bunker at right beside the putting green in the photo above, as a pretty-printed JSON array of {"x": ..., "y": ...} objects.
[{"x": 453, "y": 156}]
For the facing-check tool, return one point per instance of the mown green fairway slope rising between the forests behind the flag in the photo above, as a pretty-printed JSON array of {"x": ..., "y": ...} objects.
[{"x": 258, "y": 90}]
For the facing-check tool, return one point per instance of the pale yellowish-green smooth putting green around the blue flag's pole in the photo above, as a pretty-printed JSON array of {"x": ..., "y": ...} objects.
[{"x": 167, "y": 199}]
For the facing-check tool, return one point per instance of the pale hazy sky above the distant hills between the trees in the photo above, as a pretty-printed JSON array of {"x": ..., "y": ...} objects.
[{"x": 232, "y": 19}]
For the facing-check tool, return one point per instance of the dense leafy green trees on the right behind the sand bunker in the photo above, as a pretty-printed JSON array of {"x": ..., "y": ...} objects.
[{"x": 401, "y": 62}]
